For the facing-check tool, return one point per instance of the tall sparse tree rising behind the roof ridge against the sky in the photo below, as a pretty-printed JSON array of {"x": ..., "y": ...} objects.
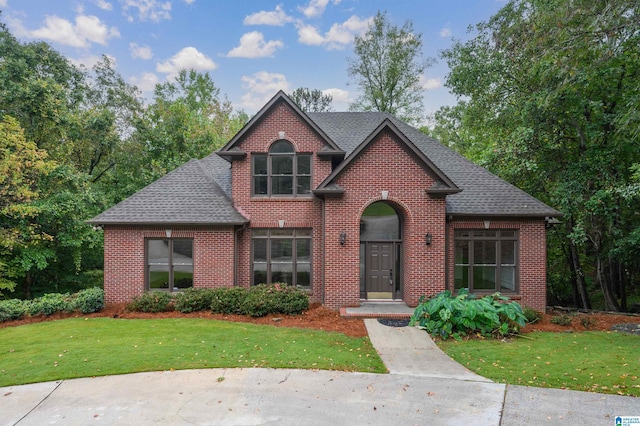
[{"x": 387, "y": 68}]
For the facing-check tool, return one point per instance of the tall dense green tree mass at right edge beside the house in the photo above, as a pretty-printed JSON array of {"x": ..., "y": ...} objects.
[{"x": 550, "y": 103}]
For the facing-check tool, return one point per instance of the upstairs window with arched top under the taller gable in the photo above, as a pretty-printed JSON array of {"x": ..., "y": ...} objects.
[{"x": 281, "y": 172}]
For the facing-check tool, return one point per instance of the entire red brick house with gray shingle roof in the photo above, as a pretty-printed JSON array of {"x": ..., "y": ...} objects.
[{"x": 350, "y": 206}]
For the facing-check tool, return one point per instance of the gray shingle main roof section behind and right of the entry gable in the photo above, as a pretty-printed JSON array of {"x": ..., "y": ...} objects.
[{"x": 483, "y": 193}]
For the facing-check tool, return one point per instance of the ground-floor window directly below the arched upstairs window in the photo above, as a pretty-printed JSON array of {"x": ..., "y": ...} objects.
[{"x": 282, "y": 255}]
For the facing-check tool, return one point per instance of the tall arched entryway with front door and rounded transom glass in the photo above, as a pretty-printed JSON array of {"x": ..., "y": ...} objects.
[{"x": 380, "y": 252}]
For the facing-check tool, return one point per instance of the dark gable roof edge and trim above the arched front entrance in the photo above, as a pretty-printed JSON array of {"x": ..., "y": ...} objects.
[{"x": 442, "y": 186}]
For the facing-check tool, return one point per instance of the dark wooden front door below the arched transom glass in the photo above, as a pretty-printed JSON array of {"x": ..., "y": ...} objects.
[{"x": 381, "y": 264}]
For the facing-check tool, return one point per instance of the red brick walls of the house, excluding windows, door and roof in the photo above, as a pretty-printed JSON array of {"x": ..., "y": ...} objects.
[{"x": 385, "y": 169}]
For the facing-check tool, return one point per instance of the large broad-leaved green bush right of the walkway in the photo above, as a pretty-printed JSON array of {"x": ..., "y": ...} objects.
[{"x": 445, "y": 315}]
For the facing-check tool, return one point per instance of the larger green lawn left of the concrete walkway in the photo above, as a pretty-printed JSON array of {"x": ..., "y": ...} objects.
[{"x": 86, "y": 347}]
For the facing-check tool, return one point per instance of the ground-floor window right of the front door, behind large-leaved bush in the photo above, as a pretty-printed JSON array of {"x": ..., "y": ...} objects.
[{"x": 486, "y": 260}]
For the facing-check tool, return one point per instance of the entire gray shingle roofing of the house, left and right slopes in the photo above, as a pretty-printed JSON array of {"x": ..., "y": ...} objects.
[{"x": 199, "y": 192}]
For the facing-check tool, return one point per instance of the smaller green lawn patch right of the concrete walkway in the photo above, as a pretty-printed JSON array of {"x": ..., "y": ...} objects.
[{"x": 604, "y": 362}]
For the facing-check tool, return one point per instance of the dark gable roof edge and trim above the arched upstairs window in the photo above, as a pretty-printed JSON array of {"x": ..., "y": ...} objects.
[{"x": 231, "y": 150}]
